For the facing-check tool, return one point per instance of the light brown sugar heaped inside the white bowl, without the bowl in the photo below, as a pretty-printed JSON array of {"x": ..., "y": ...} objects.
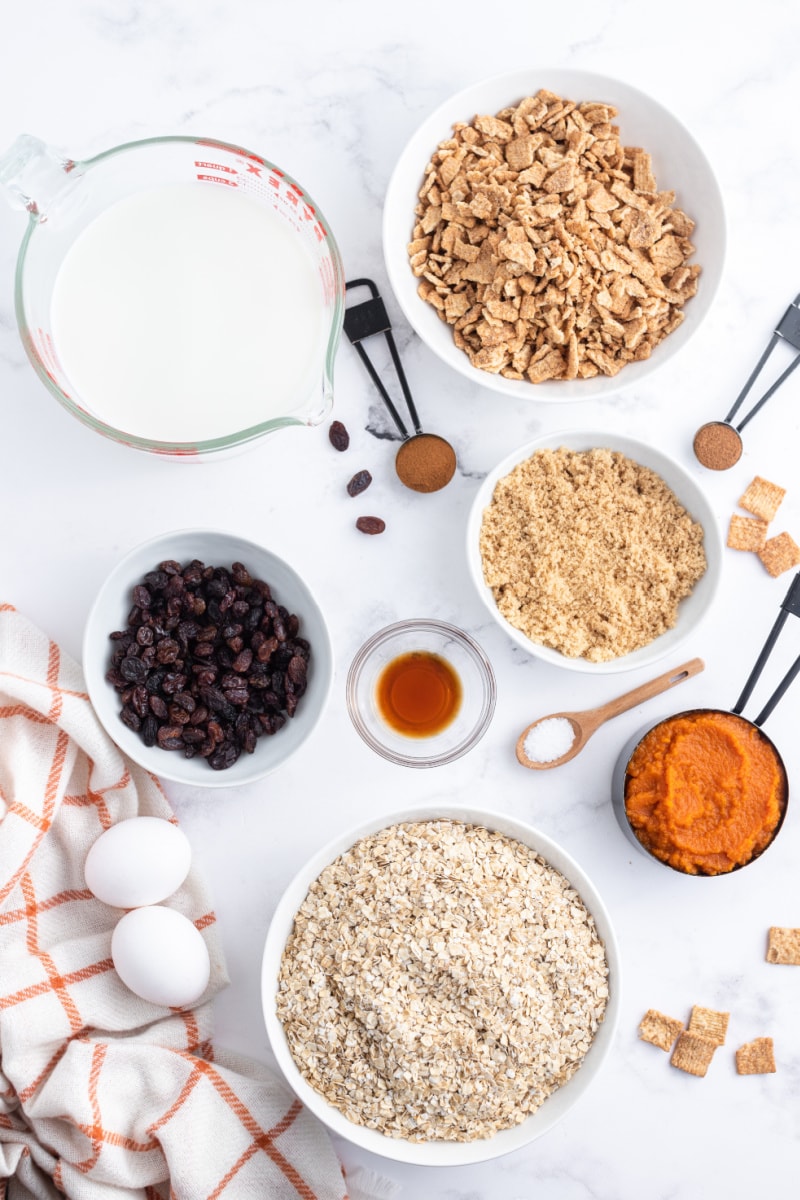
[{"x": 590, "y": 553}]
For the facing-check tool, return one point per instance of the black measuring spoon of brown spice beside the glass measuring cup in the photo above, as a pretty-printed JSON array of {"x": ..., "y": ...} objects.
[{"x": 425, "y": 463}]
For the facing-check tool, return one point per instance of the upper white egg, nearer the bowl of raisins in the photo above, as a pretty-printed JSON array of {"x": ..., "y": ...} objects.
[{"x": 136, "y": 862}]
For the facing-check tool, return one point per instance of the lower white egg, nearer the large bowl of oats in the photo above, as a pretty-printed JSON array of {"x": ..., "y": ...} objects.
[{"x": 161, "y": 957}]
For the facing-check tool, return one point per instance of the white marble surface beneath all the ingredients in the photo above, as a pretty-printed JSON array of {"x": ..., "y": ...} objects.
[{"x": 333, "y": 91}]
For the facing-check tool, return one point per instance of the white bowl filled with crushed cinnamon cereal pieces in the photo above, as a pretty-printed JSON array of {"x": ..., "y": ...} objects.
[{"x": 539, "y": 202}]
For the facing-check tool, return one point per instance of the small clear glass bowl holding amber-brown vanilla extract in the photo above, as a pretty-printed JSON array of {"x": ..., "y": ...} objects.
[{"x": 422, "y": 693}]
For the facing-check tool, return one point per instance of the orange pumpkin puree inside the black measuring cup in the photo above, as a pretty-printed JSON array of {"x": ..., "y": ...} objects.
[{"x": 705, "y": 793}]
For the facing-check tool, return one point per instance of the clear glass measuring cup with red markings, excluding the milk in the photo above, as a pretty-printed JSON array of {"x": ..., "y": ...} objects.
[{"x": 64, "y": 197}]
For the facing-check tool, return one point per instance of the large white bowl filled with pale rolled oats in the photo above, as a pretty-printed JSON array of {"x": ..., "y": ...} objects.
[{"x": 399, "y": 979}]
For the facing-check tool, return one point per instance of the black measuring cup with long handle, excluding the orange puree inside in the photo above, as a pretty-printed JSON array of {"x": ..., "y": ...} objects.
[{"x": 791, "y": 607}]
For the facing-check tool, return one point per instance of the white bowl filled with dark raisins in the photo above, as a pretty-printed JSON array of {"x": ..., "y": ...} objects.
[{"x": 208, "y": 659}]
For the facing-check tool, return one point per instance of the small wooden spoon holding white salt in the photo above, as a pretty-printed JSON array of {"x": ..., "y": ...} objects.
[{"x": 555, "y": 740}]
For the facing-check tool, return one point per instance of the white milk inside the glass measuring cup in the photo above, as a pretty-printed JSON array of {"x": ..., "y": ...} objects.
[{"x": 190, "y": 313}]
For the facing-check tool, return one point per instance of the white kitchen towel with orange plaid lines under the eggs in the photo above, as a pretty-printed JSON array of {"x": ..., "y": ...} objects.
[{"x": 104, "y": 1095}]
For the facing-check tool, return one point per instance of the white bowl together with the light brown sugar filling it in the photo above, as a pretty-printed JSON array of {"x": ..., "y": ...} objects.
[{"x": 594, "y": 551}]
